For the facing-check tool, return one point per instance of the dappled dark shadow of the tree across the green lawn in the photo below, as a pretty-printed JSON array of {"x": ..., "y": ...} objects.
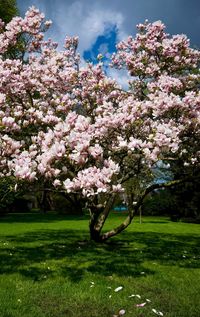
[{"x": 30, "y": 253}]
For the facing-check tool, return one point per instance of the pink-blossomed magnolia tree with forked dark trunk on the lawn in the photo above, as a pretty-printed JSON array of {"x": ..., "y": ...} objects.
[{"x": 74, "y": 129}]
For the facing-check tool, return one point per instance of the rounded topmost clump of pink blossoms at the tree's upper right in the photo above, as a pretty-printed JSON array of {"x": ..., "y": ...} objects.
[{"x": 153, "y": 52}]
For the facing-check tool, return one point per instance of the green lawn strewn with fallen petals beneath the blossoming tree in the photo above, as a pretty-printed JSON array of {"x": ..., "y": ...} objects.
[{"x": 47, "y": 270}]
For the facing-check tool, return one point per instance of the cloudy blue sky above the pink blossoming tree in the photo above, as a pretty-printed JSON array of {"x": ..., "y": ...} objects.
[{"x": 100, "y": 24}]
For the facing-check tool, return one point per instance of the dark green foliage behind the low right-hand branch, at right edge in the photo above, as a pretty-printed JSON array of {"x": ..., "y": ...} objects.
[{"x": 181, "y": 201}]
